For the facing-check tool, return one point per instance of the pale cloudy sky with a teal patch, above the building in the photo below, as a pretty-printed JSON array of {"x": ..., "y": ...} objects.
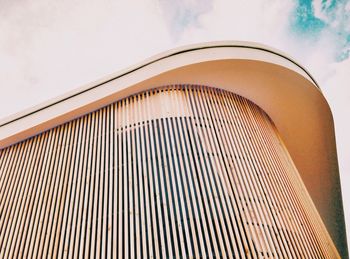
[{"x": 48, "y": 48}]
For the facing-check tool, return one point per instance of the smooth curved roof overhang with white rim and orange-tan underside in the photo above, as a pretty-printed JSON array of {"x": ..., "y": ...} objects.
[{"x": 281, "y": 87}]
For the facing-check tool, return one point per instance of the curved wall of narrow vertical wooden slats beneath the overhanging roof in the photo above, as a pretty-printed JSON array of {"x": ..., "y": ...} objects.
[{"x": 176, "y": 172}]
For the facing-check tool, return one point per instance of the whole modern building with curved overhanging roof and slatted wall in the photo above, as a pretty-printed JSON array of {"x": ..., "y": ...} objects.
[{"x": 217, "y": 150}]
